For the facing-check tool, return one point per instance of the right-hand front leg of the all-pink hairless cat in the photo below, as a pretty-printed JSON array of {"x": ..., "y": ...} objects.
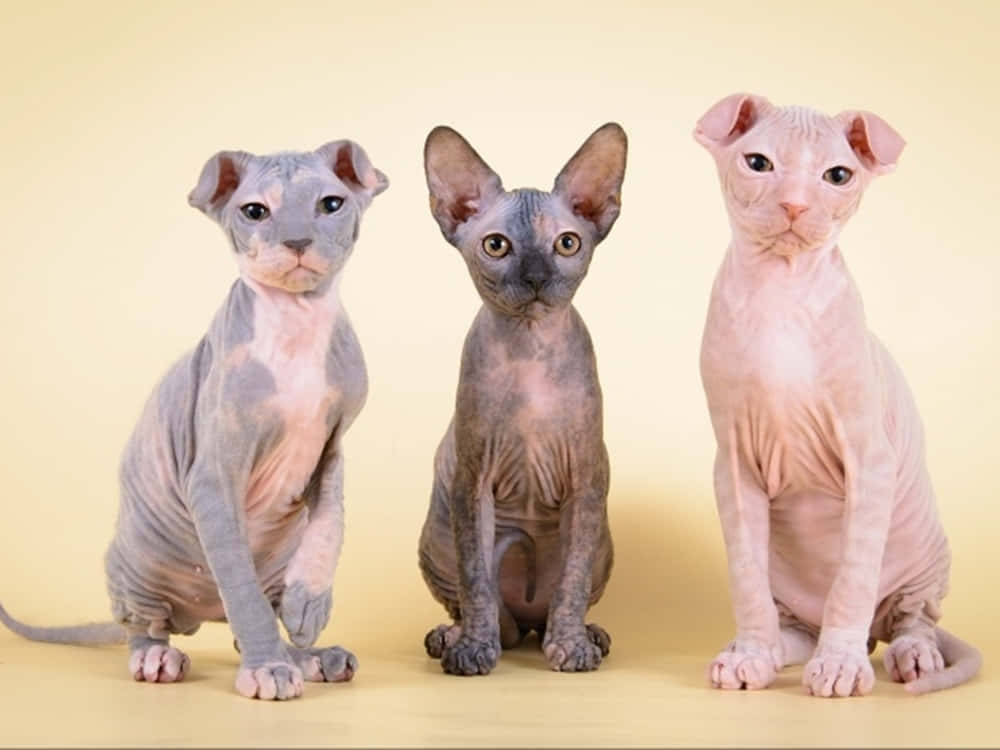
[{"x": 841, "y": 665}]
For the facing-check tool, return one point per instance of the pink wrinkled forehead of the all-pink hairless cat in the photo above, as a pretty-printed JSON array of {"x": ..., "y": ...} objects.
[{"x": 798, "y": 134}]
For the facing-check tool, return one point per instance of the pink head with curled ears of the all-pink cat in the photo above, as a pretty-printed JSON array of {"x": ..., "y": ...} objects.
[{"x": 792, "y": 177}]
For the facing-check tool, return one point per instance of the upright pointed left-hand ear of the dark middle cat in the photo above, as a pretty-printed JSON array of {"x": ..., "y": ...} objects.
[{"x": 461, "y": 184}]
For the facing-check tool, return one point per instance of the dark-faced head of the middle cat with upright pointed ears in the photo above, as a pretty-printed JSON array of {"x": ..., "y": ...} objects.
[{"x": 527, "y": 250}]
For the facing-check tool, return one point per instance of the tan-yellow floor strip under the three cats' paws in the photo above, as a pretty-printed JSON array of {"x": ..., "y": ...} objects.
[{"x": 59, "y": 696}]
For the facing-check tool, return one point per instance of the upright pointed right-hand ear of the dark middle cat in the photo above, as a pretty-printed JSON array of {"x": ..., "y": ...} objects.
[{"x": 591, "y": 181}]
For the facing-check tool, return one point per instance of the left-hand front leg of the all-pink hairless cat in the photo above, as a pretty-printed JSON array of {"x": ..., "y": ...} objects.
[{"x": 751, "y": 661}]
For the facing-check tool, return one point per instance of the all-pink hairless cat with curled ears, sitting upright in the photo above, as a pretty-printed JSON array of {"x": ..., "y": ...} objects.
[{"x": 826, "y": 505}]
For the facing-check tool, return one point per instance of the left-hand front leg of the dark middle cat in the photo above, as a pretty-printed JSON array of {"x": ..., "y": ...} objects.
[{"x": 477, "y": 648}]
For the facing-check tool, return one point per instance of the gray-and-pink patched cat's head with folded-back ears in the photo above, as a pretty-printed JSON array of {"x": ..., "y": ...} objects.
[{"x": 293, "y": 217}]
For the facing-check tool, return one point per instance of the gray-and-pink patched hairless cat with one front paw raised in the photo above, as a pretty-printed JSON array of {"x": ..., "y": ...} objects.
[{"x": 232, "y": 482}]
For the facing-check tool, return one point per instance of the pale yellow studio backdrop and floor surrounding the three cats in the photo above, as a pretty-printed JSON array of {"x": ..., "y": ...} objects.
[{"x": 106, "y": 276}]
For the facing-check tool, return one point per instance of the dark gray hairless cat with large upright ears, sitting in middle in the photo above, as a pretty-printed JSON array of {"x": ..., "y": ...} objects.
[{"x": 517, "y": 538}]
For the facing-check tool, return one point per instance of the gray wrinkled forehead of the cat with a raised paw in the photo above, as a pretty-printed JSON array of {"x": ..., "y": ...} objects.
[{"x": 285, "y": 179}]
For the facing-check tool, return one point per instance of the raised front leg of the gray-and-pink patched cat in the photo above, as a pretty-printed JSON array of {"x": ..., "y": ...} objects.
[{"x": 308, "y": 595}]
